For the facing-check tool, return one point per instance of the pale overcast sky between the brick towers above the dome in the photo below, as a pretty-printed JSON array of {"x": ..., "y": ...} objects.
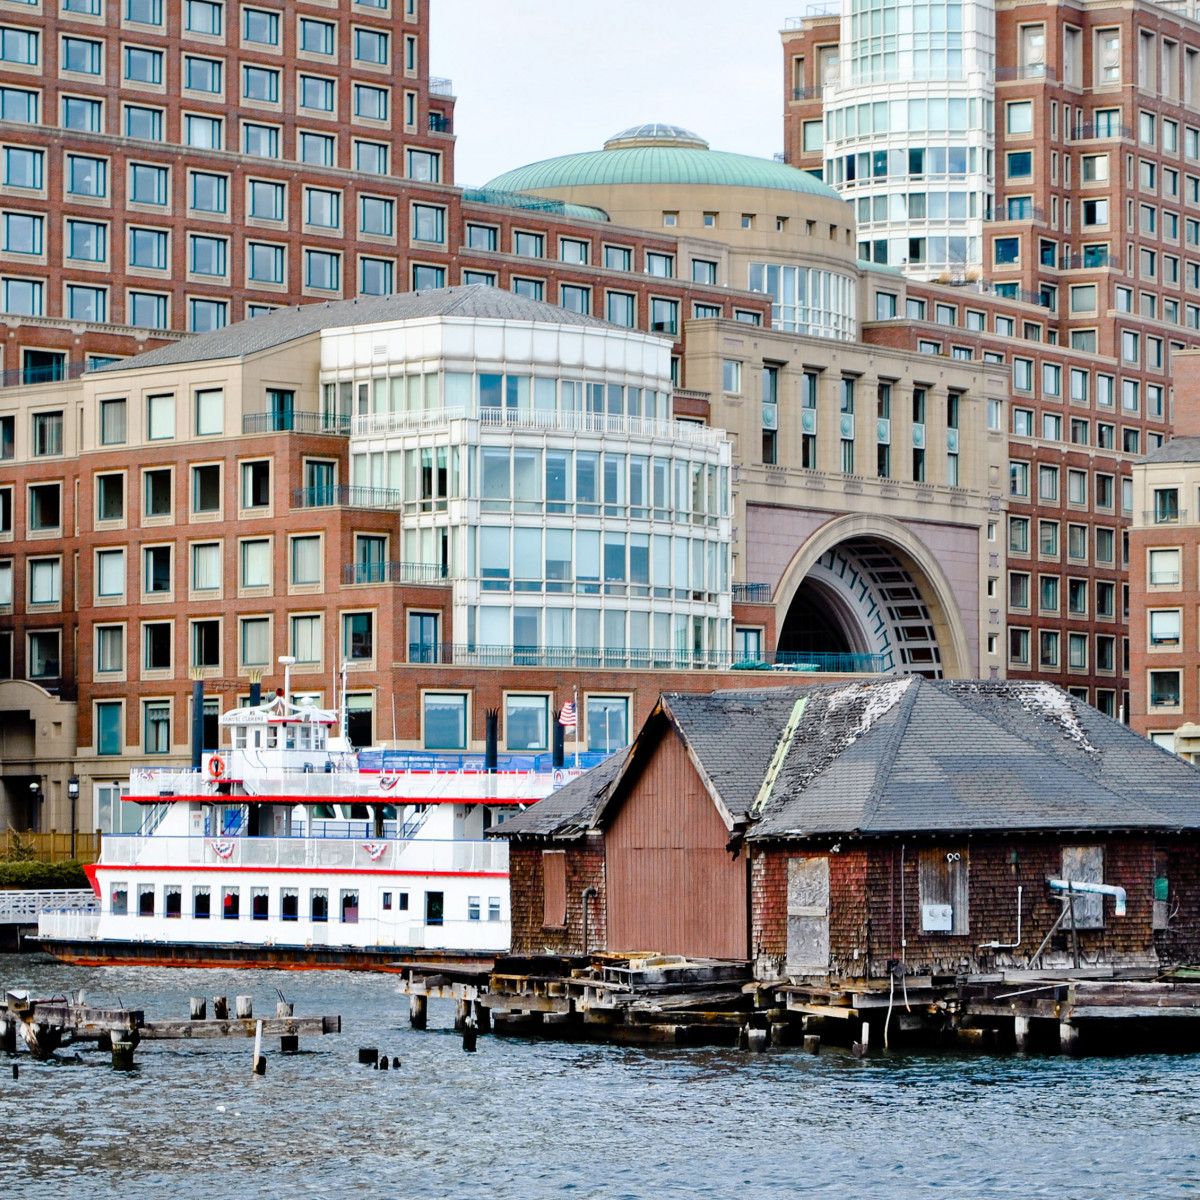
[{"x": 538, "y": 79}]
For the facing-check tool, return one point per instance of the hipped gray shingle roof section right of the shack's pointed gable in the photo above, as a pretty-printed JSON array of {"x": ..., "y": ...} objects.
[{"x": 971, "y": 755}]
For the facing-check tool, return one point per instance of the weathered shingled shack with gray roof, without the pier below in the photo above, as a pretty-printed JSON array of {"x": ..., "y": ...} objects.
[{"x": 845, "y": 829}]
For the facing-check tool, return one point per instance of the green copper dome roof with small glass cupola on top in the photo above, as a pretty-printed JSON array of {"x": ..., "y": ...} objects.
[{"x": 659, "y": 154}]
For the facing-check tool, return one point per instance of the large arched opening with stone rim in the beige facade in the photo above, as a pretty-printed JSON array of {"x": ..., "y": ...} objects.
[{"x": 868, "y": 586}]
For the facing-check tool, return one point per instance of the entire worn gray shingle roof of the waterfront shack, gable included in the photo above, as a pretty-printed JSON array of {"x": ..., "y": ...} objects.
[{"x": 905, "y": 755}]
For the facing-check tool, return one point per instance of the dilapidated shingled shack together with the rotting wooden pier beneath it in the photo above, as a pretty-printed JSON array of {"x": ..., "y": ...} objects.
[{"x": 982, "y": 860}]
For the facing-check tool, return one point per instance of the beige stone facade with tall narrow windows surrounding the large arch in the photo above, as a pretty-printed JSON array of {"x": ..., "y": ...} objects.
[{"x": 793, "y": 512}]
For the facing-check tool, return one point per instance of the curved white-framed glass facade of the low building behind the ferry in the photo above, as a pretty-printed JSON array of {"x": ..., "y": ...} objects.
[{"x": 579, "y": 525}]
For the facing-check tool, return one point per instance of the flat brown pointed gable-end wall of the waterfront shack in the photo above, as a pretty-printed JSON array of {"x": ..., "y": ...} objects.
[{"x": 673, "y": 886}]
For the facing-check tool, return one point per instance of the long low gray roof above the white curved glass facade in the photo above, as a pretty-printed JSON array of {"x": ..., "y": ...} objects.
[{"x": 259, "y": 334}]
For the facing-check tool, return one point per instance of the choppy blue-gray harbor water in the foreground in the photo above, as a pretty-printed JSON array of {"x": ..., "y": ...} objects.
[{"x": 537, "y": 1119}]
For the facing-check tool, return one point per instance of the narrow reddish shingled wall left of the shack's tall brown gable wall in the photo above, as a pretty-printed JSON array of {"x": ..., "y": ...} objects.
[{"x": 585, "y": 869}]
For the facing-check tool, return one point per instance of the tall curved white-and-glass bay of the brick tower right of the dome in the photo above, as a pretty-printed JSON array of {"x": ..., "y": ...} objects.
[{"x": 910, "y": 135}]
